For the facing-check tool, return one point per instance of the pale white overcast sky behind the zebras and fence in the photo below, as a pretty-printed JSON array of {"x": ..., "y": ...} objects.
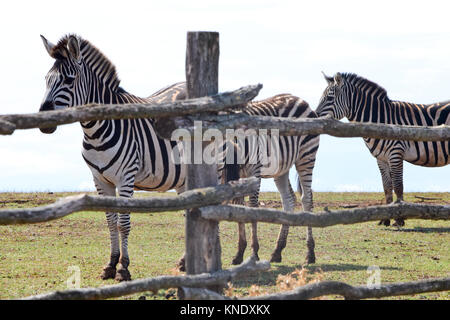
[{"x": 402, "y": 45}]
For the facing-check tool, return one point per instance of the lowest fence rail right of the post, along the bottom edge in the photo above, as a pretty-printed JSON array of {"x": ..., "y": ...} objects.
[{"x": 326, "y": 288}]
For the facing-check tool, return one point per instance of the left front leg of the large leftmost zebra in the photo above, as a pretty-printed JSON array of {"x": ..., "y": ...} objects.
[{"x": 109, "y": 271}]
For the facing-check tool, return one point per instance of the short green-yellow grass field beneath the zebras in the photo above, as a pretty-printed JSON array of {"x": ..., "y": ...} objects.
[{"x": 35, "y": 258}]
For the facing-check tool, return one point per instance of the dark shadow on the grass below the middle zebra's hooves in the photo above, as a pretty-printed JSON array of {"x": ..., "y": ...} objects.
[{"x": 269, "y": 278}]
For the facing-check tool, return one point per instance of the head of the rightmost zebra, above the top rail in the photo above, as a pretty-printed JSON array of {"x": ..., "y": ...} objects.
[{"x": 334, "y": 100}]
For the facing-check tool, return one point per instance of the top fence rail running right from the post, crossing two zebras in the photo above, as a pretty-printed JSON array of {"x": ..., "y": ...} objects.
[{"x": 325, "y": 125}]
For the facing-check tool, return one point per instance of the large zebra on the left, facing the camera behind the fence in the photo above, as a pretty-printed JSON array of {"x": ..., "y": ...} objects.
[{"x": 122, "y": 154}]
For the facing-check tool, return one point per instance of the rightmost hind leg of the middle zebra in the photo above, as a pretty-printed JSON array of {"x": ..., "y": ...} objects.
[{"x": 304, "y": 181}]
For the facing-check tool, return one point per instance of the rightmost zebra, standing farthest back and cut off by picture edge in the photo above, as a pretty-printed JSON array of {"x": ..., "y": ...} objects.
[{"x": 360, "y": 100}]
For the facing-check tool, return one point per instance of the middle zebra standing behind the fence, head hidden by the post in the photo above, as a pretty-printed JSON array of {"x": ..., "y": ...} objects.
[{"x": 293, "y": 150}]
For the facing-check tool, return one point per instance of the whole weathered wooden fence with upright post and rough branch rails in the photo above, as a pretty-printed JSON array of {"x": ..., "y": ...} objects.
[{"x": 205, "y": 278}]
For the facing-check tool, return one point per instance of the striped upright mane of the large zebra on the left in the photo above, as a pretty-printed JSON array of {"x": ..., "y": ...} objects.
[{"x": 91, "y": 54}]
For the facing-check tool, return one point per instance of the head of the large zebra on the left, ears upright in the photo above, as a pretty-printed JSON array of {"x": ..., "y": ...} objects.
[{"x": 63, "y": 81}]
